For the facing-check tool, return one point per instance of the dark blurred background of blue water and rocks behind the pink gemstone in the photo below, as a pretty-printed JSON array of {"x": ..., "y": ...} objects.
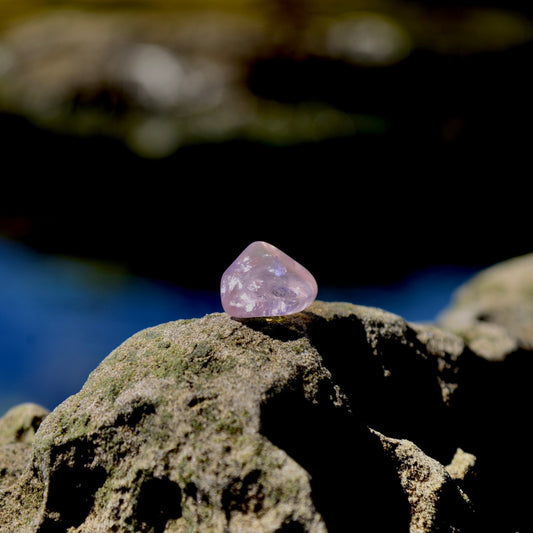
[{"x": 385, "y": 145}]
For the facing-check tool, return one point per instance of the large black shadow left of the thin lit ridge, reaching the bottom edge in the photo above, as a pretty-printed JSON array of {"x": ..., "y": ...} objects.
[{"x": 351, "y": 480}]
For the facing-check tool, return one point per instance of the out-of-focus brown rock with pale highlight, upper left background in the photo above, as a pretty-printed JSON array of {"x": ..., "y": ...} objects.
[{"x": 155, "y": 81}]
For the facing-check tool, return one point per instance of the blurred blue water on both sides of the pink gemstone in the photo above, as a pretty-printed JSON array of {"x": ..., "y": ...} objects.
[{"x": 59, "y": 317}]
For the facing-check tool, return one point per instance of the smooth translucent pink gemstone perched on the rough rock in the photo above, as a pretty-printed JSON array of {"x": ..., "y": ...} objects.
[{"x": 264, "y": 281}]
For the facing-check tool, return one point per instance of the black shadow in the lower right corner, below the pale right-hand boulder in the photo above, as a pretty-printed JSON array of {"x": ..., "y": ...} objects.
[{"x": 493, "y": 410}]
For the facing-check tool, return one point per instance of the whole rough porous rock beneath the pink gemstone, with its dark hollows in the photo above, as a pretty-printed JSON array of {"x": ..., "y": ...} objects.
[{"x": 340, "y": 418}]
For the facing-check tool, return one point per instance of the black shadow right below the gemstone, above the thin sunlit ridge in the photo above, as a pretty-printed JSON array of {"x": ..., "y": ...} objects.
[{"x": 390, "y": 385}]
